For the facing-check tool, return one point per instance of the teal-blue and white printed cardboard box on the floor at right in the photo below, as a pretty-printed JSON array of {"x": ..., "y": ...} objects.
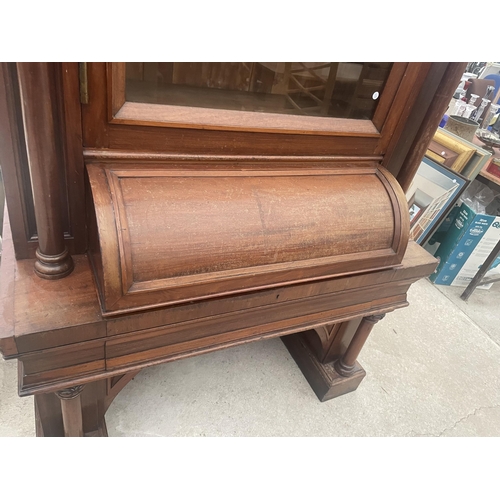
[{"x": 463, "y": 250}]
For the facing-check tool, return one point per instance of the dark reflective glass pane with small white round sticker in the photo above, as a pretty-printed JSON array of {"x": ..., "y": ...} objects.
[{"x": 343, "y": 90}]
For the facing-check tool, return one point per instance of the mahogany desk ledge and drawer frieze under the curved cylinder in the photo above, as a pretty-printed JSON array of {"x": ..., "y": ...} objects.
[{"x": 62, "y": 341}]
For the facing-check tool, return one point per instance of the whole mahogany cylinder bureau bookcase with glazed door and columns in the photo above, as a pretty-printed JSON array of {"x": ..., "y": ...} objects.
[{"x": 162, "y": 210}]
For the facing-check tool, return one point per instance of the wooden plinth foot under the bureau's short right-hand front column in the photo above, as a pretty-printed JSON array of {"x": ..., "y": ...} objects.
[{"x": 322, "y": 377}]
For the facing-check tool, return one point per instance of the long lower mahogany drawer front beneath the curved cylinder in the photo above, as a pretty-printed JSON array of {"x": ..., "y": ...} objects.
[{"x": 259, "y": 322}]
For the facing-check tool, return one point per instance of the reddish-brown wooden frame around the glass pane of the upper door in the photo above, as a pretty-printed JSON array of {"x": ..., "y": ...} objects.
[{"x": 116, "y": 125}]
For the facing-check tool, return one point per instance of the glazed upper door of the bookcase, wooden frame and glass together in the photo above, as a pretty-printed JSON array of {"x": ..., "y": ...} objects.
[{"x": 249, "y": 109}]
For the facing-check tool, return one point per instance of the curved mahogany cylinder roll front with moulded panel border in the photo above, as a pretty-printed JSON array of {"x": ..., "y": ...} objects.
[{"x": 166, "y": 234}]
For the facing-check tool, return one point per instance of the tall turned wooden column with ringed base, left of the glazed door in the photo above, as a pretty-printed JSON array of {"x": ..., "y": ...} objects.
[{"x": 37, "y": 93}]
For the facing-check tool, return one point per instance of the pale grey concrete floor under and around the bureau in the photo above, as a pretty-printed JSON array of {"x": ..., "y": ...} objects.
[{"x": 433, "y": 369}]
